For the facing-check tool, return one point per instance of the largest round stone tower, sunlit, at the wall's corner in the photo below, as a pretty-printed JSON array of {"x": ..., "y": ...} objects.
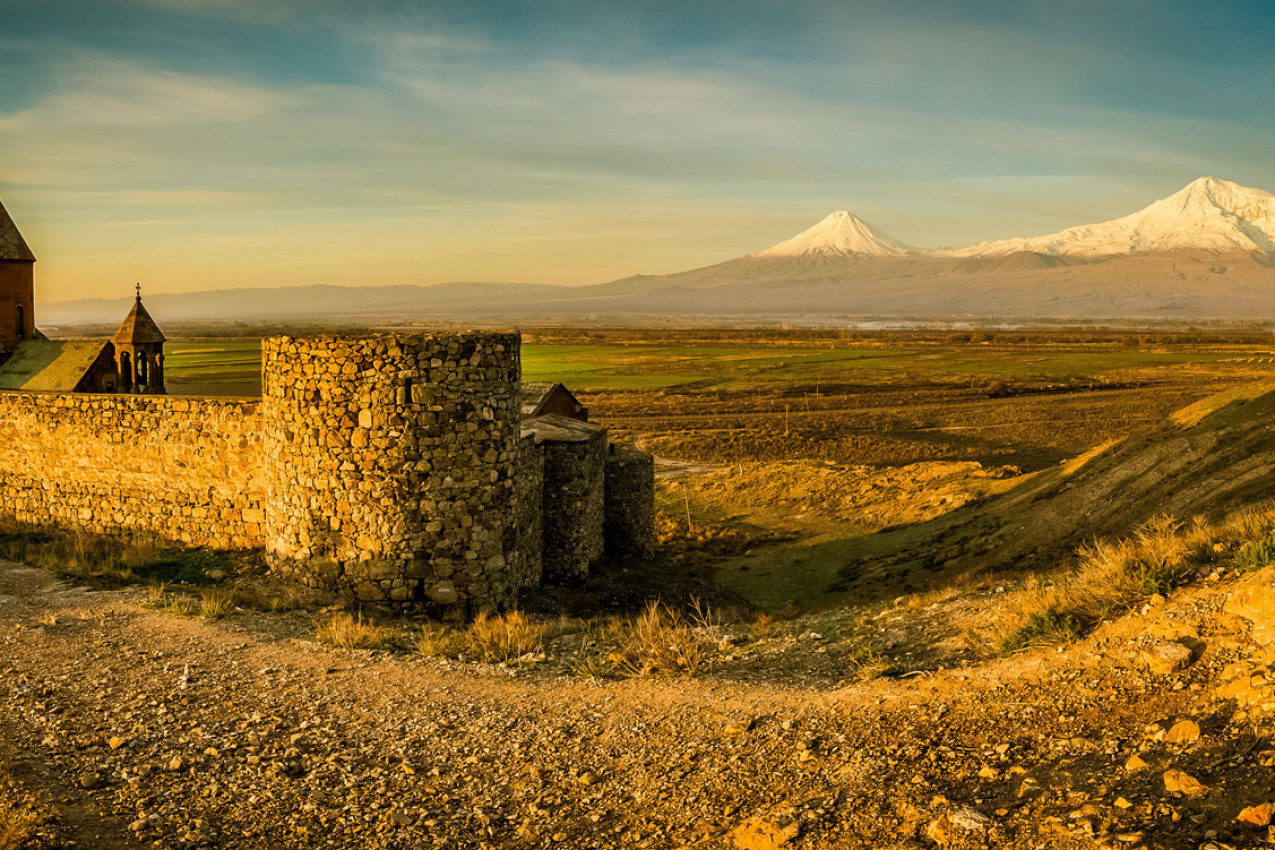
[{"x": 391, "y": 466}]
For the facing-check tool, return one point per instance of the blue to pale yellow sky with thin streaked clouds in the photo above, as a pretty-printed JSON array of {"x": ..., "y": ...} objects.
[{"x": 201, "y": 145}]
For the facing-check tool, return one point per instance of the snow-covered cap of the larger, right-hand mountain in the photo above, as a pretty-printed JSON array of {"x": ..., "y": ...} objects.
[{"x": 1208, "y": 215}]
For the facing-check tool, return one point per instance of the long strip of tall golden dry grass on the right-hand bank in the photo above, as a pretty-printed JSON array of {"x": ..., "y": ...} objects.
[{"x": 1112, "y": 578}]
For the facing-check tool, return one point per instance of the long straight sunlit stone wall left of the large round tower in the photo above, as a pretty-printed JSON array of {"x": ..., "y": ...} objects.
[{"x": 187, "y": 470}]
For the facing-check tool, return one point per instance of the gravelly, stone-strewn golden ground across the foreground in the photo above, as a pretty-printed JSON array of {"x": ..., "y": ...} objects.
[{"x": 146, "y": 728}]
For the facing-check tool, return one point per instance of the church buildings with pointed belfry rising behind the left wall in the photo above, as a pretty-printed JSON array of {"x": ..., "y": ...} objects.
[{"x": 129, "y": 363}]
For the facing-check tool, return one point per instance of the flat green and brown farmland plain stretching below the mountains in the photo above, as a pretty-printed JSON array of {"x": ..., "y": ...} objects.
[{"x": 809, "y": 443}]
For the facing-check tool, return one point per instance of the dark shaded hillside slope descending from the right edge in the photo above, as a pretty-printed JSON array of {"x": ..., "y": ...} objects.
[{"x": 1217, "y": 461}]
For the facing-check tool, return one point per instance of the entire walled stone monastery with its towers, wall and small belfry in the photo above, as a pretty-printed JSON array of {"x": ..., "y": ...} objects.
[{"x": 395, "y": 470}]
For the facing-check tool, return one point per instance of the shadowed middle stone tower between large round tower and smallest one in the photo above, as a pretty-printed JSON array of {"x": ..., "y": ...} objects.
[{"x": 573, "y": 507}]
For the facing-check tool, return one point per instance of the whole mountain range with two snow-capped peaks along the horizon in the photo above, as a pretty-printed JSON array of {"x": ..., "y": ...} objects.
[{"x": 1207, "y": 252}]
